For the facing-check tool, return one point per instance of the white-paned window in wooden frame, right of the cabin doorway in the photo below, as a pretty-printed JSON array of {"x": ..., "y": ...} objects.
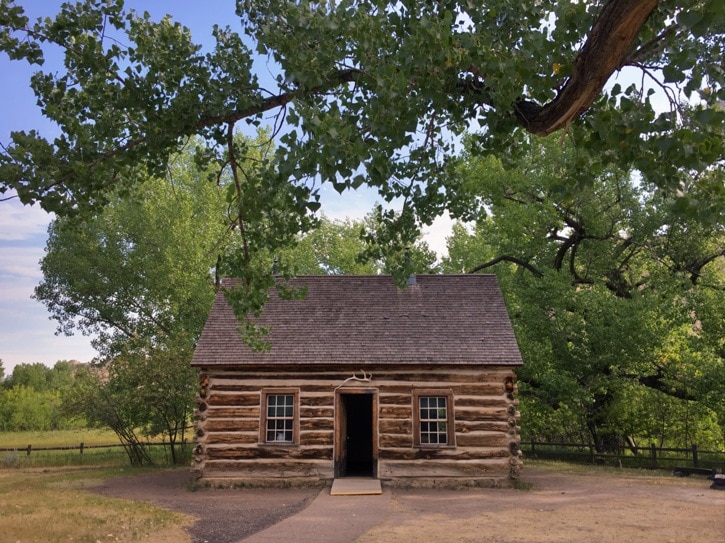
[{"x": 433, "y": 411}]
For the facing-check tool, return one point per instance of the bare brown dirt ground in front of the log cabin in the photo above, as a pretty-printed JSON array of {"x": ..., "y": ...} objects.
[{"x": 591, "y": 508}]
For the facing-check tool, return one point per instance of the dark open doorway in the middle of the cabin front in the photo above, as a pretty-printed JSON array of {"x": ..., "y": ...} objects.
[{"x": 357, "y": 455}]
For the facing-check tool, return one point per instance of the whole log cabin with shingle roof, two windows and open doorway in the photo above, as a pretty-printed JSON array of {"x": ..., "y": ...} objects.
[{"x": 413, "y": 386}]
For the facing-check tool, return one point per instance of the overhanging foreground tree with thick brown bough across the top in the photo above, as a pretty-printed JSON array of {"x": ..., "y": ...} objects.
[{"x": 372, "y": 93}]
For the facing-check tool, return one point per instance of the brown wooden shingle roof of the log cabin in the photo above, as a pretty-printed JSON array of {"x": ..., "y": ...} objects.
[{"x": 367, "y": 320}]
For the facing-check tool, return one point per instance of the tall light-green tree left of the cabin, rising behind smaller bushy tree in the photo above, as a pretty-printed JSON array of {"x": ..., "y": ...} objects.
[{"x": 142, "y": 267}]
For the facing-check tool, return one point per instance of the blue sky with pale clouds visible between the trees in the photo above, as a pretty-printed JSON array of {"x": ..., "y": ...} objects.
[{"x": 27, "y": 334}]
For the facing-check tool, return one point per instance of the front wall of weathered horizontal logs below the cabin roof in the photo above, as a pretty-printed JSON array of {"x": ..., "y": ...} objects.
[{"x": 484, "y": 451}]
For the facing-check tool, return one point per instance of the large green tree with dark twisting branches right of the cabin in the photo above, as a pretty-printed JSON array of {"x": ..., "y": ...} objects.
[{"x": 615, "y": 296}]
